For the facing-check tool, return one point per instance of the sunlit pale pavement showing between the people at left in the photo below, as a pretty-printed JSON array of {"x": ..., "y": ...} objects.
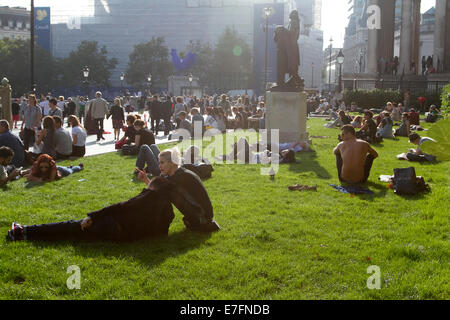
[{"x": 108, "y": 145}]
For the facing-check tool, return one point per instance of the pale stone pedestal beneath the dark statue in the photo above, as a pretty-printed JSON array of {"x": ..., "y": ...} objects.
[{"x": 286, "y": 111}]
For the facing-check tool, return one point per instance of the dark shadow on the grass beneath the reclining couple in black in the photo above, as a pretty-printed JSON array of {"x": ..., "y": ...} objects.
[{"x": 150, "y": 252}]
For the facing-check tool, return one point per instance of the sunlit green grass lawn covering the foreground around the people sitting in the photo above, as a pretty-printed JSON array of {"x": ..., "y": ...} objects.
[{"x": 274, "y": 243}]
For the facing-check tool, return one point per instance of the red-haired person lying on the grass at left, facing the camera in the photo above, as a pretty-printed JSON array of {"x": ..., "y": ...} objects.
[{"x": 44, "y": 169}]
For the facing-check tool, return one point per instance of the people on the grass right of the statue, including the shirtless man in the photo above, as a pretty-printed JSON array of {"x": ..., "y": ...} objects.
[{"x": 361, "y": 128}]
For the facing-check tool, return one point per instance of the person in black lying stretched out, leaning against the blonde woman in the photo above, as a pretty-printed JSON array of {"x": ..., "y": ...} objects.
[{"x": 148, "y": 214}]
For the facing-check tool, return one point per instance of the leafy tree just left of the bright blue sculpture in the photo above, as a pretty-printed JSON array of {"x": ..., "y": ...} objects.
[{"x": 150, "y": 57}]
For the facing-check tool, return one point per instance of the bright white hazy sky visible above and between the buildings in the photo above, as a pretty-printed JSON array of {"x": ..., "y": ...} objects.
[{"x": 334, "y": 14}]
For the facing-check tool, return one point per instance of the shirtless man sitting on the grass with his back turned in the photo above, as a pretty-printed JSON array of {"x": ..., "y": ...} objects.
[{"x": 354, "y": 157}]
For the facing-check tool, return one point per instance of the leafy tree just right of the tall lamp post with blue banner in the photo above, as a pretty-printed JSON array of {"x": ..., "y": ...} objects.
[{"x": 87, "y": 54}]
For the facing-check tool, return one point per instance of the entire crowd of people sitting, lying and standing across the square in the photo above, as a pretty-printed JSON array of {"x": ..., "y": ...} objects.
[{"x": 43, "y": 129}]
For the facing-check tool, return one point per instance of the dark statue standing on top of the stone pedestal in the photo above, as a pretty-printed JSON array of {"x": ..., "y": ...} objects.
[{"x": 288, "y": 56}]
